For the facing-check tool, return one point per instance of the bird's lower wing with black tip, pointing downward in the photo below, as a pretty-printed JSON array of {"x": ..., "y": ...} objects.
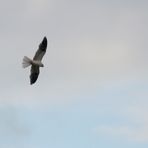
[{"x": 34, "y": 74}]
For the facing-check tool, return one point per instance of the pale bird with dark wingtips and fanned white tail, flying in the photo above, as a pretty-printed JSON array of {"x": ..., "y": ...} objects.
[{"x": 35, "y": 63}]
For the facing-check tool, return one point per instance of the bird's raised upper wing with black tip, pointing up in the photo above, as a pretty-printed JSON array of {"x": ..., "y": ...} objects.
[{"x": 41, "y": 50}]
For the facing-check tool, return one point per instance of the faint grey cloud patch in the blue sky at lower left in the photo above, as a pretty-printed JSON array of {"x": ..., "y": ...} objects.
[{"x": 11, "y": 123}]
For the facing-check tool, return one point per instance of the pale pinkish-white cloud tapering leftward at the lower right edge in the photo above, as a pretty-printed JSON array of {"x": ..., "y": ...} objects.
[{"x": 134, "y": 126}]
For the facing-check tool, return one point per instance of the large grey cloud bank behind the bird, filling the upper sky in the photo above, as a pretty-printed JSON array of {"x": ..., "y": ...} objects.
[{"x": 91, "y": 46}]
